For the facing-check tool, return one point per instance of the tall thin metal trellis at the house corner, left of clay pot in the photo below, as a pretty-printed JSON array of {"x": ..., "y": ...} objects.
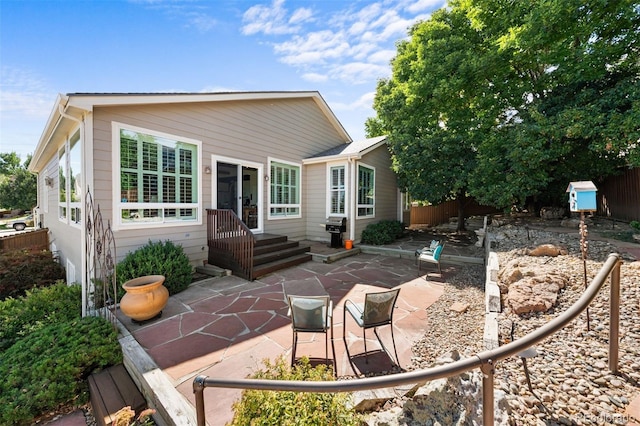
[{"x": 100, "y": 291}]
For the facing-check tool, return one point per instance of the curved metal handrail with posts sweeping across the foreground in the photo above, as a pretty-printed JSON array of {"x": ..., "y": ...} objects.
[{"x": 484, "y": 360}]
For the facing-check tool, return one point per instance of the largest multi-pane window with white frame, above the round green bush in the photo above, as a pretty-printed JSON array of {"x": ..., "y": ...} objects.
[{"x": 158, "y": 179}]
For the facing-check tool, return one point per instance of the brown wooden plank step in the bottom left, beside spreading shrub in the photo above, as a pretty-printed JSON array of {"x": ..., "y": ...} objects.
[{"x": 111, "y": 390}]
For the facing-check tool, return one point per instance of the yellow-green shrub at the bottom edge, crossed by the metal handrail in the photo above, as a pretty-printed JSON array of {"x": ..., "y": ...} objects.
[{"x": 293, "y": 408}]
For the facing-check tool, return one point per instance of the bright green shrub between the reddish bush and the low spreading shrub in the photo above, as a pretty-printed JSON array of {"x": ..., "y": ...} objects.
[{"x": 39, "y": 307}]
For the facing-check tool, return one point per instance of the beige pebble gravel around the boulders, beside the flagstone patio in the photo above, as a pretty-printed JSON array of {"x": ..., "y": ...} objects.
[{"x": 570, "y": 378}]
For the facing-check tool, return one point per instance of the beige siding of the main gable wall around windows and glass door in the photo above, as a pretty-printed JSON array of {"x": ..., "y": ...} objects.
[{"x": 253, "y": 131}]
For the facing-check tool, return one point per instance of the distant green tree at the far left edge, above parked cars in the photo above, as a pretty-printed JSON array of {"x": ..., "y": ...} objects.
[{"x": 18, "y": 187}]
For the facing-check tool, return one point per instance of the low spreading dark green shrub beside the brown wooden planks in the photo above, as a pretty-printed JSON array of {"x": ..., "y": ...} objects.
[{"x": 48, "y": 368}]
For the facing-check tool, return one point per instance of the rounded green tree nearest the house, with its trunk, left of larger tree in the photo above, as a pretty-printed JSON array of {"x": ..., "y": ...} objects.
[{"x": 437, "y": 106}]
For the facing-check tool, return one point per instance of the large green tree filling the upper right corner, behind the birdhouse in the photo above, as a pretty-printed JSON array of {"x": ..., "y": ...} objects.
[{"x": 574, "y": 96}]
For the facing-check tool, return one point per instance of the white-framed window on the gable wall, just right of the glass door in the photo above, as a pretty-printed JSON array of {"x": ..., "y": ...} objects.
[{"x": 284, "y": 190}]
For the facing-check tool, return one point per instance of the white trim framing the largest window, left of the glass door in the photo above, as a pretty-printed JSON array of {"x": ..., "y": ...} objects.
[{"x": 118, "y": 204}]
